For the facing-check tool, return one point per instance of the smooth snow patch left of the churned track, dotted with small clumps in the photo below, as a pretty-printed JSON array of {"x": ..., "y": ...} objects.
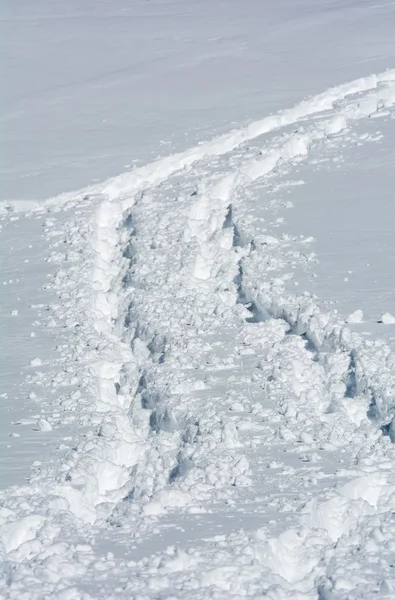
[{"x": 25, "y": 300}]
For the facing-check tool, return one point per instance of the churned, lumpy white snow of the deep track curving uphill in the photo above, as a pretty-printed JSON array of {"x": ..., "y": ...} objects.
[{"x": 205, "y": 388}]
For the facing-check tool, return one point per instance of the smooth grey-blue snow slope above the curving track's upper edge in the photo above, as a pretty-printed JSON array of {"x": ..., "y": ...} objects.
[{"x": 94, "y": 87}]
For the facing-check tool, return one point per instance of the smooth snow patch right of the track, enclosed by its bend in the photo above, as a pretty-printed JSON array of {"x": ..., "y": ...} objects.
[{"x": 352, "y": 237}]
